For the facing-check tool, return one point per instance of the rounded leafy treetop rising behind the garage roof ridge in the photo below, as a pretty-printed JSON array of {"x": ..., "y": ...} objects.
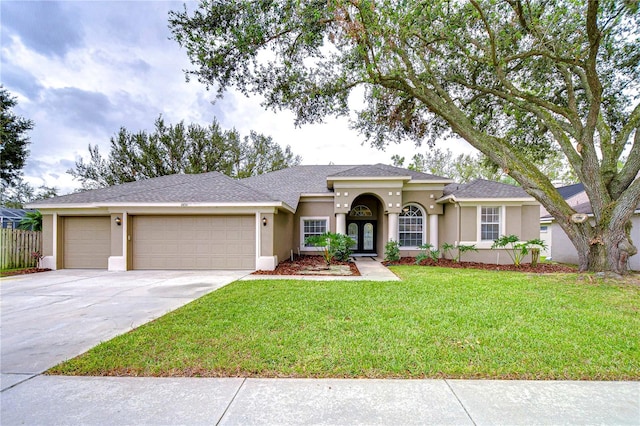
[{"x": 172, "y": 149}]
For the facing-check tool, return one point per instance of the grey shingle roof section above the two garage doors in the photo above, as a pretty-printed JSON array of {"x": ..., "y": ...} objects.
[{"x": 202, "y": 188}]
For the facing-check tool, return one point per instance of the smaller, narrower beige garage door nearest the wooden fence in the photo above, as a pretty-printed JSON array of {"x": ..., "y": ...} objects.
[{"x": 87, "y": 242}]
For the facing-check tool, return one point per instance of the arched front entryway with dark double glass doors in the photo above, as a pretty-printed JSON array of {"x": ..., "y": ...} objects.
[{"x": 363, "y": 224}]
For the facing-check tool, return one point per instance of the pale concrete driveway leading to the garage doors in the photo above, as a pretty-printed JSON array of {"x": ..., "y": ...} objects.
[{"x": 53, "y": 316}]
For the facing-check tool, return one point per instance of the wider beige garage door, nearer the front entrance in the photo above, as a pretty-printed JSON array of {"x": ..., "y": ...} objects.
[{"x": 194, "y": 242}]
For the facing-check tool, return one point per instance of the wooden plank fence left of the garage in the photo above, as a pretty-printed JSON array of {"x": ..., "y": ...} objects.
[{"x": 17, "y": 246}]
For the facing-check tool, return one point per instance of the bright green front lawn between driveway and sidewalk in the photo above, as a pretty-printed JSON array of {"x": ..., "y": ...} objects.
[{"x": 435, "y": 323}]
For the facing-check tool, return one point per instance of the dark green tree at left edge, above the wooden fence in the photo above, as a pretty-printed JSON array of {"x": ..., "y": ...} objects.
[{"x": 13, "y": 140}]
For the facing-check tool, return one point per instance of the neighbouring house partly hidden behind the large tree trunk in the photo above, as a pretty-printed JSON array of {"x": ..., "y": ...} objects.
[{"x": 563, "y": 250}]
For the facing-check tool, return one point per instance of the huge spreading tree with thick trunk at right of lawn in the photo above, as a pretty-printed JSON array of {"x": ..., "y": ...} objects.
[{"x": 516, "y": 79}]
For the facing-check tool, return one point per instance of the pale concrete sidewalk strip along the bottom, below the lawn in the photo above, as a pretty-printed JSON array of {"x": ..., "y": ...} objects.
[{"x": 105, "y": 400}]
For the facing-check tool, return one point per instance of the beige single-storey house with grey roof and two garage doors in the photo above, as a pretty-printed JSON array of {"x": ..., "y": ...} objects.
[{"x": 210, "y": 221}]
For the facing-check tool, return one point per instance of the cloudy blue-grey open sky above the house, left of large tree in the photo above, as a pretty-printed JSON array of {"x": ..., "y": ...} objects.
[{"x": 82, "y": 69}]
